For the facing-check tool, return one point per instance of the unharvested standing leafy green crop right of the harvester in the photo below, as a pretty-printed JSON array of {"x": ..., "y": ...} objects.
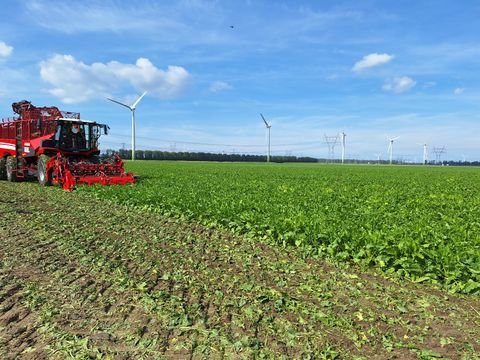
[{"x": 414, "y": 222}]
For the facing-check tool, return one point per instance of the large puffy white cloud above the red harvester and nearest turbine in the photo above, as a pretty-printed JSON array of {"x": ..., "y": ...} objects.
[{"x": 74, "y": 81}]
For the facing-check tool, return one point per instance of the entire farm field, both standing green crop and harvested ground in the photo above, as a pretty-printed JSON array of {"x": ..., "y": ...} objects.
[{"x": 244, "y": 261}]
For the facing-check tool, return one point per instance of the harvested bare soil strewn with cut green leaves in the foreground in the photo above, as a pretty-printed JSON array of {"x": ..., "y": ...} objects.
[{"x": 85, "y": 278}]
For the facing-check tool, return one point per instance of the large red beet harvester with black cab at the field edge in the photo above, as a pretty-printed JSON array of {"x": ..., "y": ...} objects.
[{"x": 56, "y": 147}]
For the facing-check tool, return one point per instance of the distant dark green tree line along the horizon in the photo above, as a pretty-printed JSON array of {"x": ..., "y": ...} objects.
[{"x": 203, "y": 156}]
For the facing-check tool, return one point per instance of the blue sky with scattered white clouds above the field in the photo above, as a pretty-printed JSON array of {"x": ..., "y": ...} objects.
[{"x": 373, "y": 69}]
